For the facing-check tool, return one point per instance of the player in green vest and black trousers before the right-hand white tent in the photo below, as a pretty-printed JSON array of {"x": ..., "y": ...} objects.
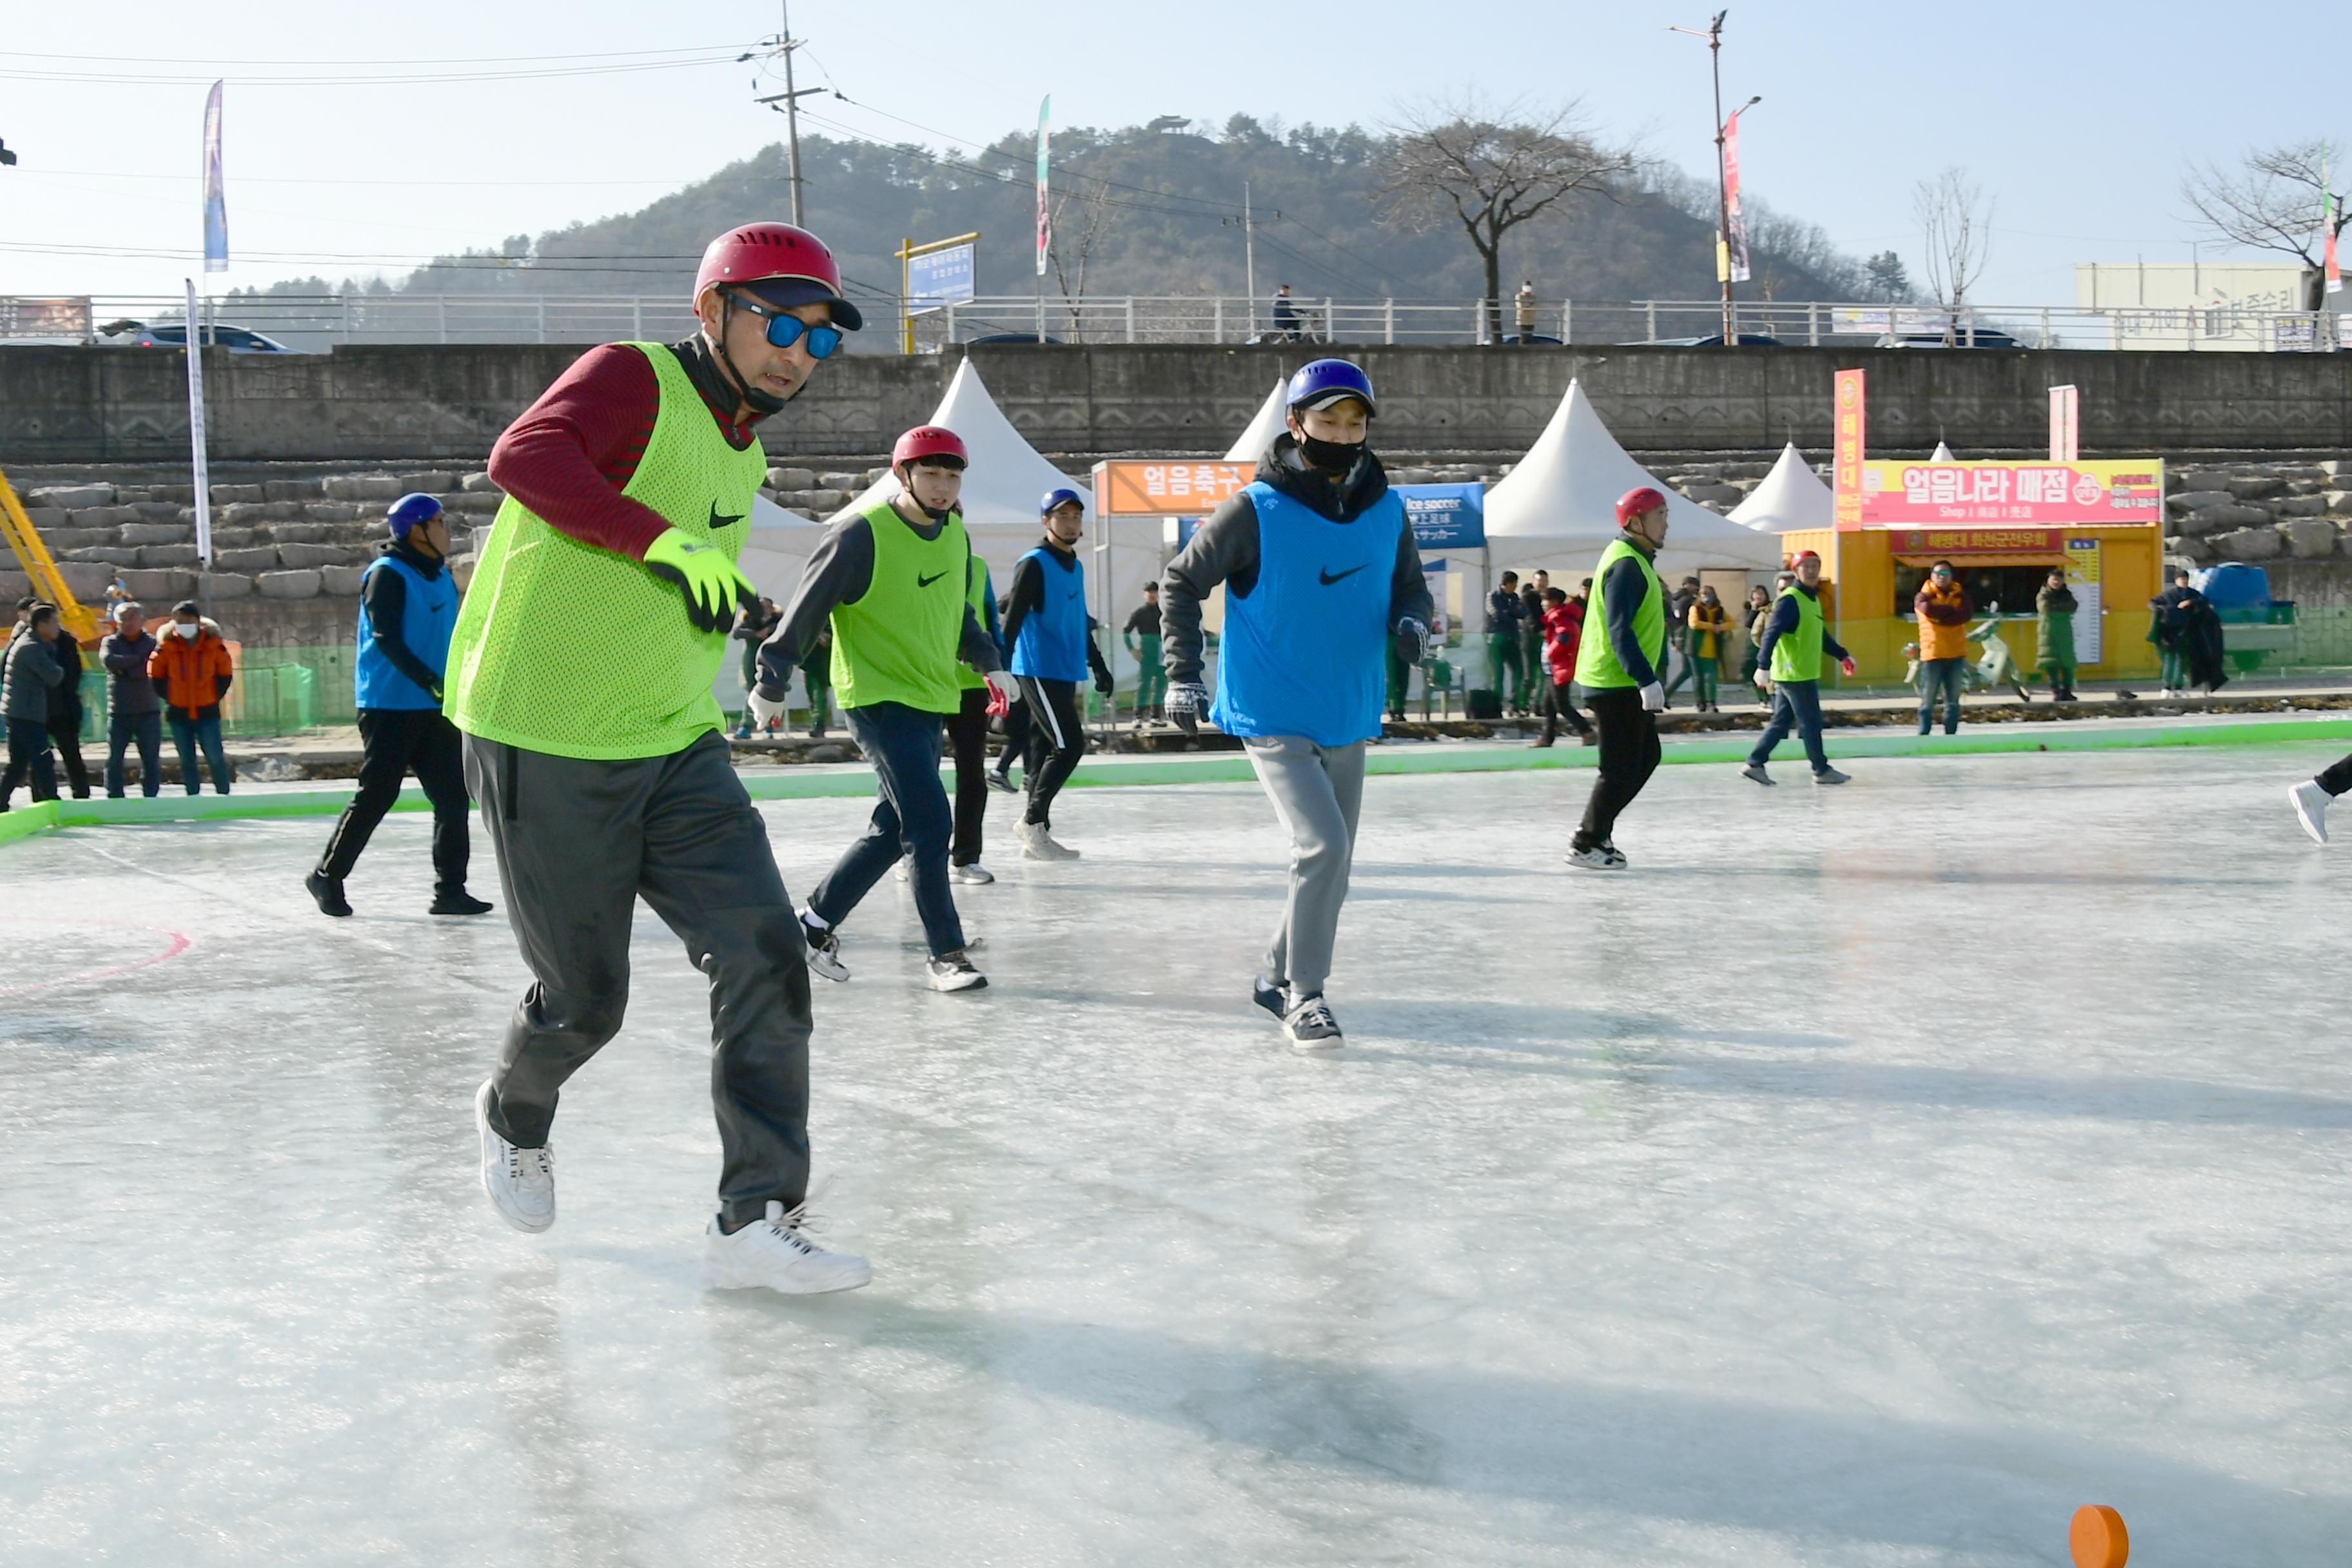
[{"x": 1619, "y": 662}]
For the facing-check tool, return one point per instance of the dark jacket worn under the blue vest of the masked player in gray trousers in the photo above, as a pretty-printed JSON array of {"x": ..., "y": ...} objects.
[{"x": 1227, "y": 549}]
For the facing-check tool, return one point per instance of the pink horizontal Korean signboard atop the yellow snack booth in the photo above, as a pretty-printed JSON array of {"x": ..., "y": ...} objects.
[{"x": 1911, "y": 495}]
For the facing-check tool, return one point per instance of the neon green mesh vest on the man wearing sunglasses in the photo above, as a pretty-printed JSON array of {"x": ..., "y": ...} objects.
[{"x": 577, "y": 652}]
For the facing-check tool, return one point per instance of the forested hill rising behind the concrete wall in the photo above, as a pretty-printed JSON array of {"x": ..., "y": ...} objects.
[{"x": 1165, "y": 210}]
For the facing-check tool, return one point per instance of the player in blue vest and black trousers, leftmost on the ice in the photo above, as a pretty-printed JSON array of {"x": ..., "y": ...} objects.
[{"x": 408, "y": 610}]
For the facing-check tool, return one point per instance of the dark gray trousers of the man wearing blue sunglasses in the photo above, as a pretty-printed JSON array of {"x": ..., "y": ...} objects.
[{"x": 577, "y": 845}]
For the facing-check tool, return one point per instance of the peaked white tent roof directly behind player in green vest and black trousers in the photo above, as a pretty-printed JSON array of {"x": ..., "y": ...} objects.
[{"x": 1561, "y": 504}]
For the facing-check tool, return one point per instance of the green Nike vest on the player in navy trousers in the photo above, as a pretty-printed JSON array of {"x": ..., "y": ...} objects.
[{"x": 900, "y": 641}]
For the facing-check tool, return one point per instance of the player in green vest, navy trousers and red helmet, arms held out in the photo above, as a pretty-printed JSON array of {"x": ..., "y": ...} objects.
[{"x": 895, "y": 582}]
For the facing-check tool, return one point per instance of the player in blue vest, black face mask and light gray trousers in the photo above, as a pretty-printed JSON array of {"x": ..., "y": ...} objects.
[{"x": 1321, "y": 582}]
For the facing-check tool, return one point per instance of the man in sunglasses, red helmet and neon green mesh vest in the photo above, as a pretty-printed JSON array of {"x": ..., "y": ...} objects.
[{"x": 601, "y": 763}]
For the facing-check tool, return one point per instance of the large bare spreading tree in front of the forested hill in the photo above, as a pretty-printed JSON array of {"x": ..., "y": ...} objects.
[{"x": 1490, "y": 170}]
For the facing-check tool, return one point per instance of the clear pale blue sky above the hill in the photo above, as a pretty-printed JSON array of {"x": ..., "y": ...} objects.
[{"x": 2076, "y": 116}]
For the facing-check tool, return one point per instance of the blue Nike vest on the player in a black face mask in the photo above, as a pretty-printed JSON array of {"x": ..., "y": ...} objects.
[{"x": 1304, "y": 650}]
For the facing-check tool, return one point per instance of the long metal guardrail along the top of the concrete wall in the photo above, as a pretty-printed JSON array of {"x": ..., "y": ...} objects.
[{"x": 314, "y": 323}]
